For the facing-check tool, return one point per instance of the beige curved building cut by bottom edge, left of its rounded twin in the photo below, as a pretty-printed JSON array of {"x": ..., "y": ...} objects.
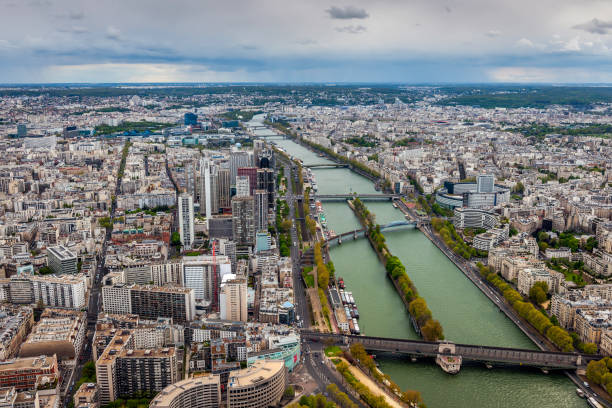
[{"x": 197, "y": 392}]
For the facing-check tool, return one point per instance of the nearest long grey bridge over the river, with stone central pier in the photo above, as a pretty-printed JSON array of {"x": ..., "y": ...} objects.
[{"x": 491, "y": 356}]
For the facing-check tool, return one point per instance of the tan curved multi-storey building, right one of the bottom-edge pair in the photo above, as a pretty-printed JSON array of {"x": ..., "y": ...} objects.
[{"x": 259, "y": 386}]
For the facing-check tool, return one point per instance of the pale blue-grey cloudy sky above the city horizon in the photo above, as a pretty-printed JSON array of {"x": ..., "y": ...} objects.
[{"x": 409, "y": 41}]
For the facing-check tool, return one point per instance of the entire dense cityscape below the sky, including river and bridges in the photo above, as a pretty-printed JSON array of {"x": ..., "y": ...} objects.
[{"x": 306, "y": 245}]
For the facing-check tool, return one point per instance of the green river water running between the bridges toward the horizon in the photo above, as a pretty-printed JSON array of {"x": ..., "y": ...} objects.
[{"x": 465, "y": 313}]
